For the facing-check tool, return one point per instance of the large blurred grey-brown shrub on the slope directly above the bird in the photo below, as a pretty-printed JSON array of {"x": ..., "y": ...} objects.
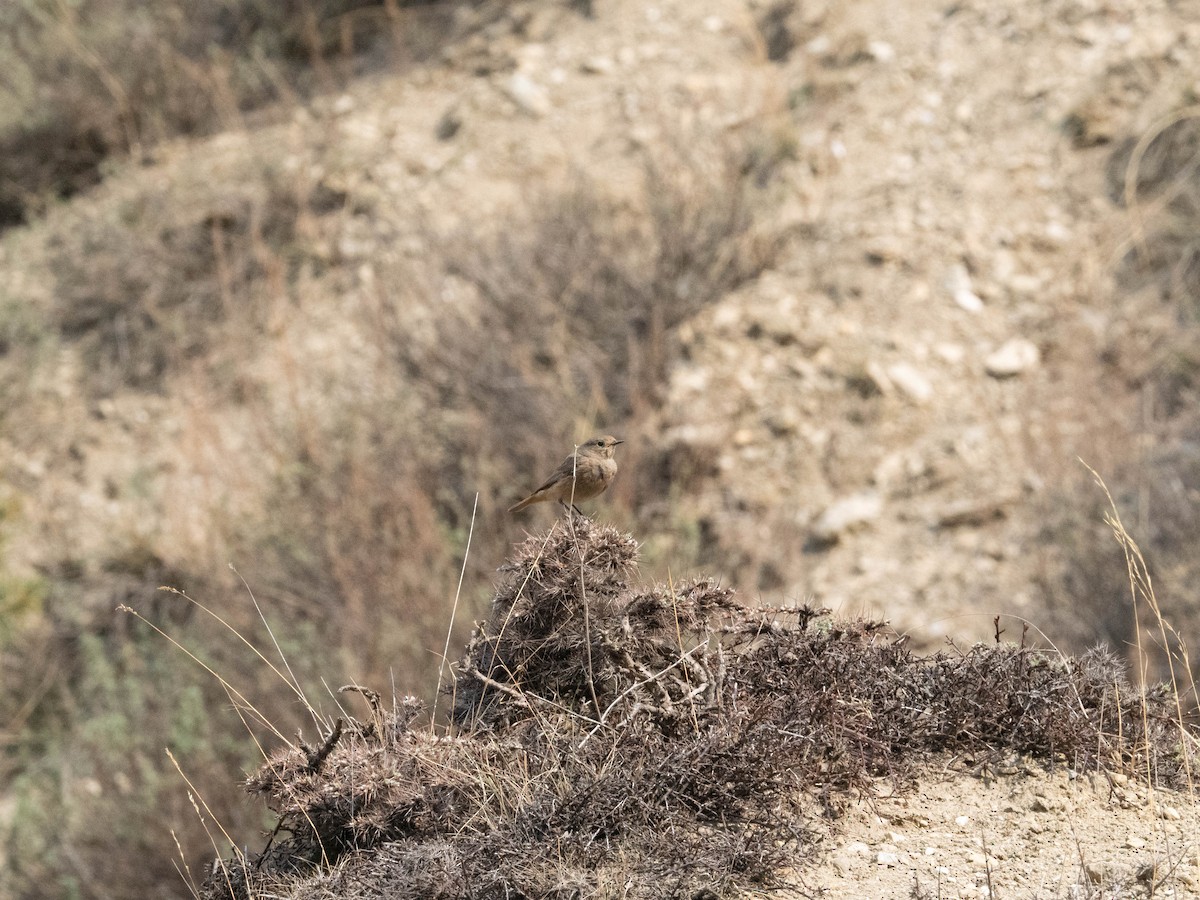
[{"x": 563, "y": 320}]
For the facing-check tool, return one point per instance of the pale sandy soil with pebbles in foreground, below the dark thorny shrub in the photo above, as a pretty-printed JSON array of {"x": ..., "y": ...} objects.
[{"x": 1023, "y": 836}]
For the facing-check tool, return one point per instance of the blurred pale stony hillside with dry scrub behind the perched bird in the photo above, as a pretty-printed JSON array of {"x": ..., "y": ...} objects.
[{"x": 859, "y": 285}]
